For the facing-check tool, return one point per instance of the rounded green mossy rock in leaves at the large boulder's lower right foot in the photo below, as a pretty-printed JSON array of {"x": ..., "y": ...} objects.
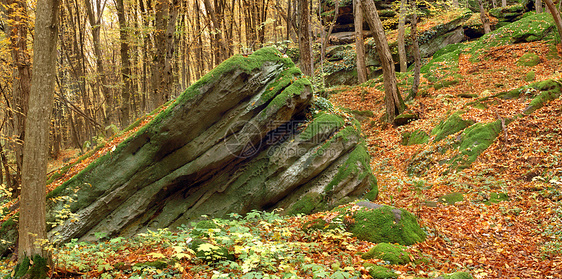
[{"x": 383, "y": 223}]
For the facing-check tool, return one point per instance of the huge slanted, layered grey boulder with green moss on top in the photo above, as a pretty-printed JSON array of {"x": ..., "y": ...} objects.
[{"x": 239, "y": 139}]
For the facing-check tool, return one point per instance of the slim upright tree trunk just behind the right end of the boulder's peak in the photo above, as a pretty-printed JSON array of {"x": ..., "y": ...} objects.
[{"x": 304, "y": 39}]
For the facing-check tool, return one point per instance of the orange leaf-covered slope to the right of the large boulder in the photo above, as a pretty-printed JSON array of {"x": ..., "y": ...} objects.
[{"x": 489, "y": 239}]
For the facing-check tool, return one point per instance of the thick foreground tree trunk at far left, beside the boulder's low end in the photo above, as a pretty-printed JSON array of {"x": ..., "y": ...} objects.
[{"x": 32, "y": 226}]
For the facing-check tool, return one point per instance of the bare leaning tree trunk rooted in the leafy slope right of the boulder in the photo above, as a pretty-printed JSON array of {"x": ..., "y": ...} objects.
[{"x": 393, "y": 99}]
